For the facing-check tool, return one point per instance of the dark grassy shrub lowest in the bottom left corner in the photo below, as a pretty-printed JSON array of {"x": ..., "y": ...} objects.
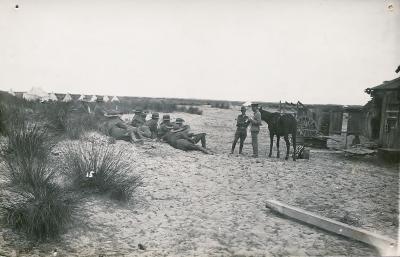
[{"x": 42, "y": 212}]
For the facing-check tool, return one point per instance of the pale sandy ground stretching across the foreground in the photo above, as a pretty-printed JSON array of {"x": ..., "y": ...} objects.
[{"x": 193, "y": 204}]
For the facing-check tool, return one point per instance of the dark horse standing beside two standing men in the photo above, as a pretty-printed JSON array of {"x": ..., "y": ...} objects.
[{"x": 280, "y": 125}]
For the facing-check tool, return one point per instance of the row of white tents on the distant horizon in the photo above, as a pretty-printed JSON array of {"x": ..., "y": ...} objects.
[{"x": 38, "y": 94}]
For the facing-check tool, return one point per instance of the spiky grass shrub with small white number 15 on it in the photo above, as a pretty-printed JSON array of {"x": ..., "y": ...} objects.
[{"x": 107, "y": 167}]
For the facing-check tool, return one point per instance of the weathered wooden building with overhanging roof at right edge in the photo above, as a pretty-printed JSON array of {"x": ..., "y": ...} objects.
[{"x": 386, "y": 101}]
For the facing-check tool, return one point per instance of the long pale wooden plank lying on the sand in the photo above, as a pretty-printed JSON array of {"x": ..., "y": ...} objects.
[{"x": 383, "y": 243}]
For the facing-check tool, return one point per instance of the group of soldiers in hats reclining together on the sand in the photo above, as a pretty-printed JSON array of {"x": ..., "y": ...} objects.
[{"x": 174, "y": 133}]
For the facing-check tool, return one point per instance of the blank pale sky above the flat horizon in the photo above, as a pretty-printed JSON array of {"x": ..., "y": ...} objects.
[{"x": 315, "y": 51}]
